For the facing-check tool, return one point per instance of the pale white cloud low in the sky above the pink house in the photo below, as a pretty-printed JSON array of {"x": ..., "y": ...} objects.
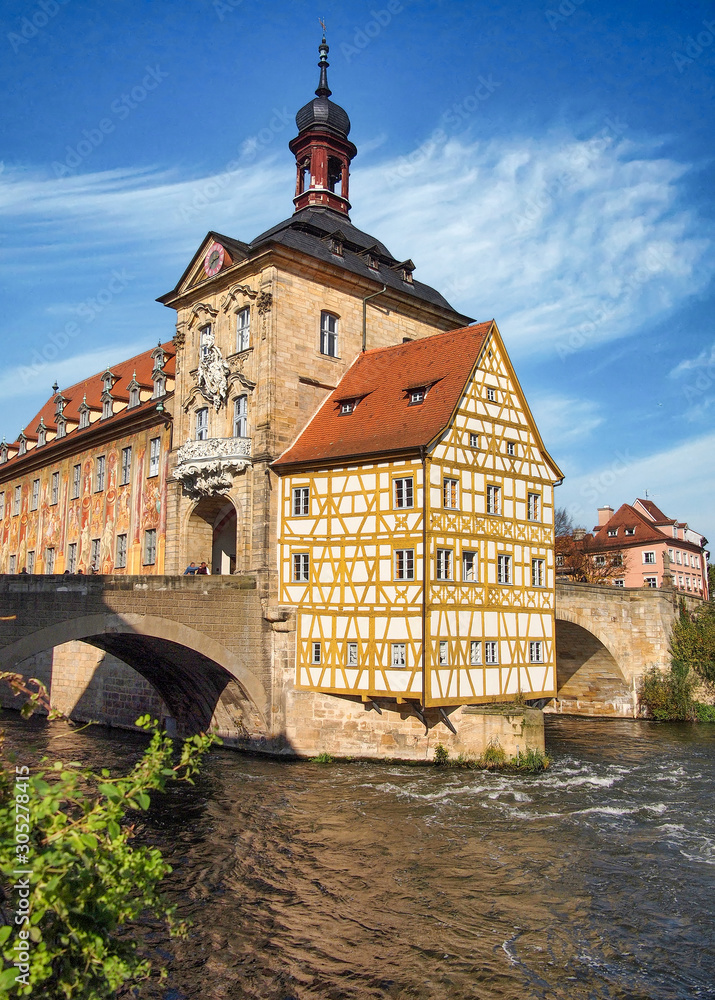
[{"x": 679, "y": 480}]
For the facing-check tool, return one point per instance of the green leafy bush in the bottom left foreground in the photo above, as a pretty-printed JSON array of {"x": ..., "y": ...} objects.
[{"x": 73, "y": 883}]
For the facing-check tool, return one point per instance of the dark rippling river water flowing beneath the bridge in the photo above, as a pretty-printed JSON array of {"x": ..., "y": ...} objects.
[{"x": 592, "y": 880}]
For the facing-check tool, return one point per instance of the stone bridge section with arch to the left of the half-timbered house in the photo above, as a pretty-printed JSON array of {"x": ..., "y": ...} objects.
[{"x": 205, "y": 645}]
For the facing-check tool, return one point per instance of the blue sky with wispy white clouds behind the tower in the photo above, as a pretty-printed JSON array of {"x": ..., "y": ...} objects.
[{"x": 547, "y": 164}]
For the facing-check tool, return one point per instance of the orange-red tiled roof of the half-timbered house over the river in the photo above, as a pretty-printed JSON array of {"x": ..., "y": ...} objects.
[{"x": 383, "y": 420}]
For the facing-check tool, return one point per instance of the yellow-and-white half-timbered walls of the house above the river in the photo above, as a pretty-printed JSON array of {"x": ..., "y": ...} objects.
[{"x": 354, "y": 529}]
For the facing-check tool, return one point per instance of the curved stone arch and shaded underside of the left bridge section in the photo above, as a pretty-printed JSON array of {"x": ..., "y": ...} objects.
[{"x": 197, "y": 677}]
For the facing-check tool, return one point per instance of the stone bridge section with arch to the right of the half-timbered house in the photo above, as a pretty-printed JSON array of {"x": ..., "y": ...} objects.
[{"x": 606, "y": 638}]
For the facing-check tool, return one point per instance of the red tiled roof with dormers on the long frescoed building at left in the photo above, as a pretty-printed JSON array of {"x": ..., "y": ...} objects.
[{"x": 93, "y": 388}]
